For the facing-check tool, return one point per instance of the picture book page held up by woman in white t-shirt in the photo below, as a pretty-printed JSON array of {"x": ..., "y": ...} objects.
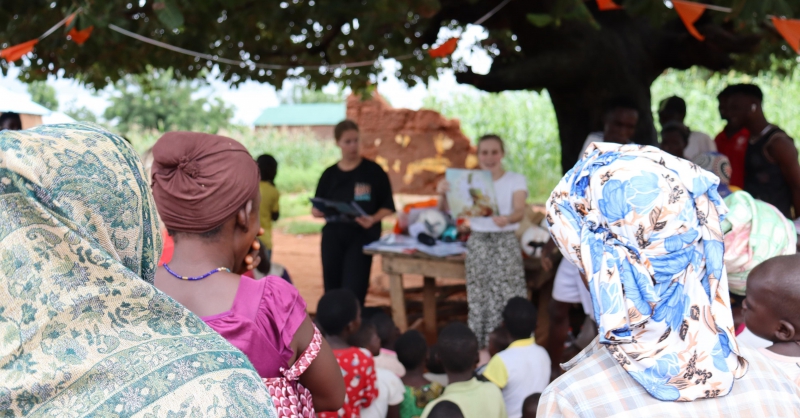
[{"x": 471, "y": 193}]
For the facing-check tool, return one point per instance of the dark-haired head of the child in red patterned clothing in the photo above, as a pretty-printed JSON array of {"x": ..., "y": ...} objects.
[{"x": 338, "y": 312}]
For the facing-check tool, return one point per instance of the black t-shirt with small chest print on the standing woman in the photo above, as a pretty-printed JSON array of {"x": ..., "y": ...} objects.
[{"x": 367, "y": 185}]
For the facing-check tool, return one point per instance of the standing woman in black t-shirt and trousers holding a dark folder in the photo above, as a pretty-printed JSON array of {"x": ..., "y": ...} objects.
[{"x": 352, "y": 179}]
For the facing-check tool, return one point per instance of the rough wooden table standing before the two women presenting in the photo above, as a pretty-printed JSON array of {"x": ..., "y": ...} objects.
[{"x": 395, "y": 265}]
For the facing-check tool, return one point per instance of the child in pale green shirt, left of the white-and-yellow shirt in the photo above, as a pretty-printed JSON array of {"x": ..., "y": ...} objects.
[{"x": 458, "y": 350}]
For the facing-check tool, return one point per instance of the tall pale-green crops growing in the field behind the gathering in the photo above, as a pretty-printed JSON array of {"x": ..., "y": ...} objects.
[{"x": 525, "y": 120}]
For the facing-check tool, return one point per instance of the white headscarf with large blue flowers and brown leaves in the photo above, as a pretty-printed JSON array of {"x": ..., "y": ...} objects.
[{"x": 644, "y": 229}]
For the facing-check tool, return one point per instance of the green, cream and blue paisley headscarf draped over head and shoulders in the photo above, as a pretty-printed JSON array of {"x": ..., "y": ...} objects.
[{"x": 82, "y": 330}]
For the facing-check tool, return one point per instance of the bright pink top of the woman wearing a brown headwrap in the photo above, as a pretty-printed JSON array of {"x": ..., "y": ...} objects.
[{"x": 262, "y": 322}]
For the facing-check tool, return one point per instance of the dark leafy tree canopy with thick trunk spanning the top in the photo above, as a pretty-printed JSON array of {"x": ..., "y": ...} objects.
[{"x": 581, "y": 55}]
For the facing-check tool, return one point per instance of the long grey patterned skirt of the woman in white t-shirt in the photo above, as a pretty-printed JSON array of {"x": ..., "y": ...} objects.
[{"x": 495, "y": 274}]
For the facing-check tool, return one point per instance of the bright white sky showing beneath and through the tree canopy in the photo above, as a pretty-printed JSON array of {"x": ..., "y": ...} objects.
[{"x": 251, "y": 98}]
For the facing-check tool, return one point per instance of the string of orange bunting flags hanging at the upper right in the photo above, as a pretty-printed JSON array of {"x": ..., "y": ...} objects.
[{"x": 690, "y": 12}]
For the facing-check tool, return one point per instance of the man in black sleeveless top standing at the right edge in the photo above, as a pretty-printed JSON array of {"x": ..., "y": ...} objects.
[{"x": 771, "y": 171}]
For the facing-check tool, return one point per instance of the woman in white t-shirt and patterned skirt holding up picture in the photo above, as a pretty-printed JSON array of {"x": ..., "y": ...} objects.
[{"x": 494, "y": 260}]
